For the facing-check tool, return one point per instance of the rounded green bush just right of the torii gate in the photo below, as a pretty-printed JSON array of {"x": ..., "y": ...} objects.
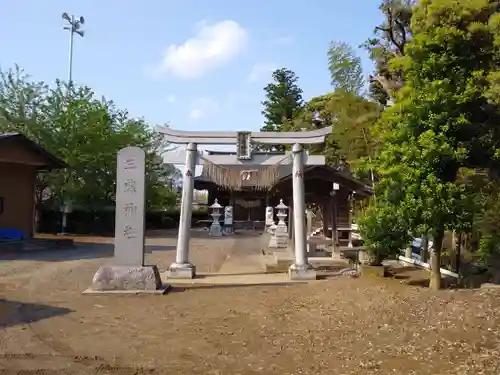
[{"x": 384, "y": 231}]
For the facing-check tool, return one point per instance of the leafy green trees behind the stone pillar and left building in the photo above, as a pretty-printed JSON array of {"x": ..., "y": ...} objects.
[{"x": 84, "y": 131}]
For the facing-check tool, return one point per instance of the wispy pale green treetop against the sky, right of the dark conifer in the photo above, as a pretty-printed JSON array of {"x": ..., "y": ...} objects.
[{"x": 345, "y": 68}]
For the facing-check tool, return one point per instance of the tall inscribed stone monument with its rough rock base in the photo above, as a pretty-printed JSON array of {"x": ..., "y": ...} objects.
[{"x": 127, "y": 273}]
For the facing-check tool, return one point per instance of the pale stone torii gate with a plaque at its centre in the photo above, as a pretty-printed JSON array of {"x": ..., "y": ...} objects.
[{"x": 301, "y": 269}]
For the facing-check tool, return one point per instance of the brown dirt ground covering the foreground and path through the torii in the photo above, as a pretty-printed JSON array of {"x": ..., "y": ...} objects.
[{"x": 335, "y": 326}]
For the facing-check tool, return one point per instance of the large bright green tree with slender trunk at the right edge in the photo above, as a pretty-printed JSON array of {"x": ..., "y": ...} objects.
[{"x": 445, "y": 119}]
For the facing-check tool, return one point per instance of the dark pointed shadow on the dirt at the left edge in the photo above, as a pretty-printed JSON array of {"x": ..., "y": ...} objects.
[{"x": 14, "y": 312}]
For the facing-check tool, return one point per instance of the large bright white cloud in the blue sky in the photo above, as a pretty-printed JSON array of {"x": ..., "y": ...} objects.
[{"x": 213, "y": 46}]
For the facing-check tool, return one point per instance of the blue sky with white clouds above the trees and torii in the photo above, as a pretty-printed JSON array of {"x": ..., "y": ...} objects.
[{"x": 199, "y": 65}]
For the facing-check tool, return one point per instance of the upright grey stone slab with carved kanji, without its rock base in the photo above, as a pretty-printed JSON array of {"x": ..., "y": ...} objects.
[{"x": 130, "y": 195}]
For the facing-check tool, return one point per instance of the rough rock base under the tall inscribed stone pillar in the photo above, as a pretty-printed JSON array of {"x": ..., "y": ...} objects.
[{"x": 127, "y": 280}]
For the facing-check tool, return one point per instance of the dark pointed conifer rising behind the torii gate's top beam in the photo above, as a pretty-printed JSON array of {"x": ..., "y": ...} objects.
[{"x": 282, "y": 104}]
